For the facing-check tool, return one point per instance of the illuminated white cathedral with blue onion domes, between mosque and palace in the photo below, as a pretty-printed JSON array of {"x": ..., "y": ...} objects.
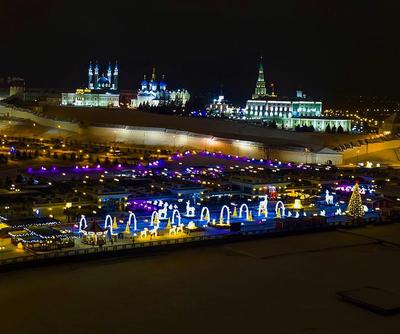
[{"x": 153, "y": 93}]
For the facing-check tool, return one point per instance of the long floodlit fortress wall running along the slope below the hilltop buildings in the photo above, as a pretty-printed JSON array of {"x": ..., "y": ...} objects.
[{"x": 176, "y": 139}]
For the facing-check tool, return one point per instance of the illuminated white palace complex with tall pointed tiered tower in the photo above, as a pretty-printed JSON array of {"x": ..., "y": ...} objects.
[{"x": 289, "y": 113}]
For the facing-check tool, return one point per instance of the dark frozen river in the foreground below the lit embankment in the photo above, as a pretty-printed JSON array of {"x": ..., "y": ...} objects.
[{"x": 281, "y": 285}]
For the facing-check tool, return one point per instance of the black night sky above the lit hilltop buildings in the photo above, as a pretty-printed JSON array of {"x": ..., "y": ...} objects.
[{"x": 327, "y": 48}]
